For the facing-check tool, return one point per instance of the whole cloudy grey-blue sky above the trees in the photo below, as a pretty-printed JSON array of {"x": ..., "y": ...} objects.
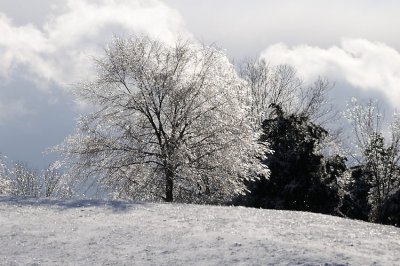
[{"x": 47, "y": 46}]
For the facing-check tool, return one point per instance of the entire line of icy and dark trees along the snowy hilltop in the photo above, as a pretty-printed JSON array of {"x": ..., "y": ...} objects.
[{"x": 181, "y": 123}]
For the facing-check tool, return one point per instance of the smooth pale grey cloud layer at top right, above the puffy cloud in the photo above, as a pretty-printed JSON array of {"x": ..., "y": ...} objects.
[{"x": 246, "y": 27}]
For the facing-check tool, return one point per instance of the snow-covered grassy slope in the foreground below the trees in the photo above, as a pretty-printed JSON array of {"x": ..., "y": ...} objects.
[{"x": 92, "y": 232}]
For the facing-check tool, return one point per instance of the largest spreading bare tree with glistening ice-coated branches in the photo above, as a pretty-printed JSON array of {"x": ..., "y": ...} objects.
[{"x": 170, "y": 122}]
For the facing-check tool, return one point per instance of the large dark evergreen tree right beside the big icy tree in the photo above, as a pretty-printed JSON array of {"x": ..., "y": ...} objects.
[{"x": 301, "y": 178}]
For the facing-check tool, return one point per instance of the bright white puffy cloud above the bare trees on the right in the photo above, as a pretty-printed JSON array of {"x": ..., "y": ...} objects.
[{"x": 369, "y": 66}]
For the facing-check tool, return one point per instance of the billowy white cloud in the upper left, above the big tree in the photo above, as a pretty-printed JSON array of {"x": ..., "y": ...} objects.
[{"x": 60, "y": 50}]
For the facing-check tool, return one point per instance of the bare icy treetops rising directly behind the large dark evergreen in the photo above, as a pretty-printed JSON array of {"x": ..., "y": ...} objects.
[{"x": 281, "y": 86}]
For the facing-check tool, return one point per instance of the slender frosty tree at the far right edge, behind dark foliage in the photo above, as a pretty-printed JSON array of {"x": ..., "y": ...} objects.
[{"x": 378, "y": 161}]
